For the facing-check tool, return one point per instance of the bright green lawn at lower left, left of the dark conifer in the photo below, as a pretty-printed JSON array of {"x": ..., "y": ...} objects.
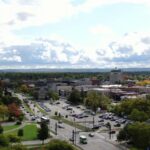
[{"x": 30, "y": 132}]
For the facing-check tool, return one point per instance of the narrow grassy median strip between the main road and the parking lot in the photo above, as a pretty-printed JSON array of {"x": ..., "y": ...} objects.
[{"x": 71, "y": 123}]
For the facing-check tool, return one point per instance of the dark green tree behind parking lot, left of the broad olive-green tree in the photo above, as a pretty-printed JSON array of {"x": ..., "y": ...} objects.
[{"x": 74, "y": 97}]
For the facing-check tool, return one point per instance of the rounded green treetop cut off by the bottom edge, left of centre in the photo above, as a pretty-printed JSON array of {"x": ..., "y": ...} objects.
[{"x": 59, "y": 145}]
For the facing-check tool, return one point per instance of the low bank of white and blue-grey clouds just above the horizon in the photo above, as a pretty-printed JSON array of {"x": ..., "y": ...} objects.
[{"x": 132, "y": 50}]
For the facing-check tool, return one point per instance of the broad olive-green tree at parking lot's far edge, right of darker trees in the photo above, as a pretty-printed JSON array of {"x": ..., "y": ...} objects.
[{"x": 95, "y": 100}]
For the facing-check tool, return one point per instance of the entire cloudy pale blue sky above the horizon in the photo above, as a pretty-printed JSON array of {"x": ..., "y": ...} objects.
[{"x": 74, "y": 34}]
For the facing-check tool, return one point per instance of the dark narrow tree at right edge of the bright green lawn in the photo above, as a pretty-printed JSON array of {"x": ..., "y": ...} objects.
[{"x": 43, "y": 132}]
